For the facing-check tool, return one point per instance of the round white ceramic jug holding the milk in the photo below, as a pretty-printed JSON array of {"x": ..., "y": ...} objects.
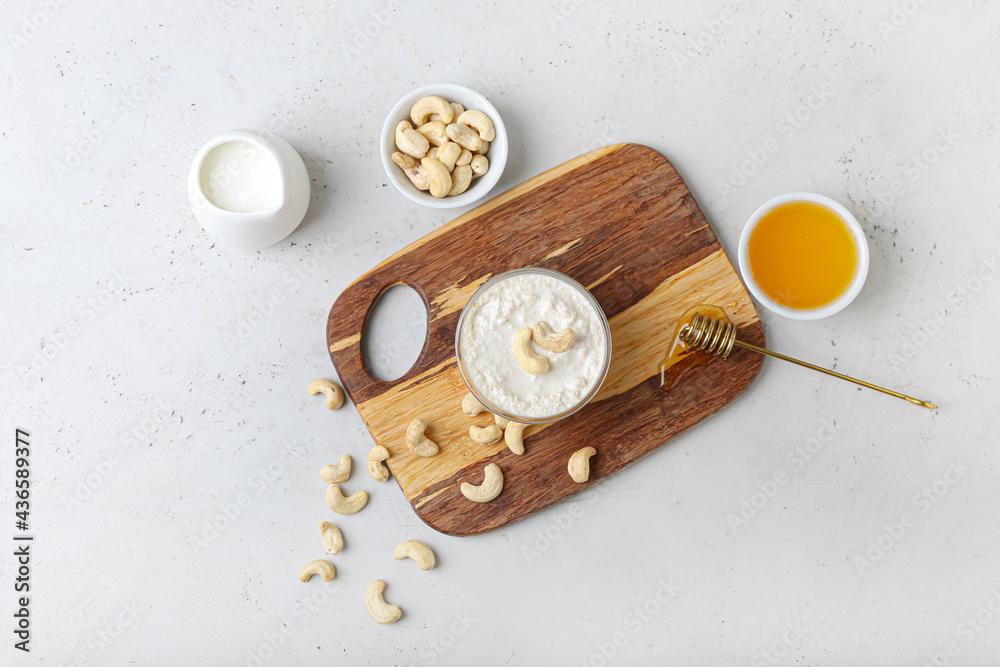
[{"x": 260, "y": 228}]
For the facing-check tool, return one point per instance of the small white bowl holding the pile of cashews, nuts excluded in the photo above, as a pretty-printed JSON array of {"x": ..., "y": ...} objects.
[{"x": 470, "y": 99}]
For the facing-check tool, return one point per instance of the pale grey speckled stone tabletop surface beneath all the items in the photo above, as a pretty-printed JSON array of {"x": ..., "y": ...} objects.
[{"x": 162, "y": 376}]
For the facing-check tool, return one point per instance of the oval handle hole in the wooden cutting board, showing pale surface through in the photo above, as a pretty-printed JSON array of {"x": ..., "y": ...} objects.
[{"x": 394, "y": 333}]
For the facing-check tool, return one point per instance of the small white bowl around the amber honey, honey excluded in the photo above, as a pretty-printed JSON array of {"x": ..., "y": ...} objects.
[{"x": 860, "y": 245}]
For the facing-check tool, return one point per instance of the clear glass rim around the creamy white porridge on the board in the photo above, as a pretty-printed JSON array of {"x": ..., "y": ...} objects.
[{"x": 605, "y": 327}]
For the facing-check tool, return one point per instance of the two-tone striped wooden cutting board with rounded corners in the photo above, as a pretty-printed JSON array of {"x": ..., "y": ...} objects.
[{"x": 619, "y": 220}]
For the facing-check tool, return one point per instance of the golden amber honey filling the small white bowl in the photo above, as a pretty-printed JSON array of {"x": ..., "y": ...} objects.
[{"x": 802, "y": 255}]
